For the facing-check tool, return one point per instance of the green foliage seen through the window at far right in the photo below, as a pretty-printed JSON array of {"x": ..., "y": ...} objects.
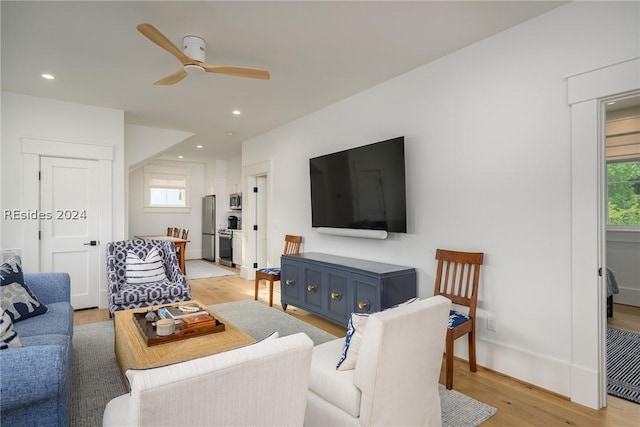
[{"x": 624, "y": 193}]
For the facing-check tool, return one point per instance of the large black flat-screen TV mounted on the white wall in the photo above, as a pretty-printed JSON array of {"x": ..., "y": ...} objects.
[{"x": 361, "y": 188}]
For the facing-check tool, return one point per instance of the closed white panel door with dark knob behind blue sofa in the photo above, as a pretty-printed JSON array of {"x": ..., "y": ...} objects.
[{"x": 69, "y": 199}]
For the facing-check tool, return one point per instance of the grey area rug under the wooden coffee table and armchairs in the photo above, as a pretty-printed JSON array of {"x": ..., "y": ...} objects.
[{"x": 96, "y": 377}]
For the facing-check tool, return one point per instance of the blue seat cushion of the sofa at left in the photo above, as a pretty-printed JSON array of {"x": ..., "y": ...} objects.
[{"x": 57, "y": 320}]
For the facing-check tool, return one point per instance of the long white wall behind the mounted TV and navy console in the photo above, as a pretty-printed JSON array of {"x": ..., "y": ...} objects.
[{"x": 487, "y": 134}]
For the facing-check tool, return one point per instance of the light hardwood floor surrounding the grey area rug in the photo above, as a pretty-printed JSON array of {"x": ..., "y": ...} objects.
[{"x": 518, "y": 403}]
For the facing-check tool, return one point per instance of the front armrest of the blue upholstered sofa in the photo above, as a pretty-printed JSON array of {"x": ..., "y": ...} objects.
[{"x": 32, "y": 374}]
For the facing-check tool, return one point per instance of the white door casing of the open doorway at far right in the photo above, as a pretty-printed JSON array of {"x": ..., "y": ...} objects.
[{"x": 586, "y": 92}]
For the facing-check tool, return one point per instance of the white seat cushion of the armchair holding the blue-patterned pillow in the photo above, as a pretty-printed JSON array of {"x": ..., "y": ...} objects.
[{"x": 333, "y": 386}]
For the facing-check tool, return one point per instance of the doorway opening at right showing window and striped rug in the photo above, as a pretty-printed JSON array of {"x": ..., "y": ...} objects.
[{"x": 622, "y": 228}]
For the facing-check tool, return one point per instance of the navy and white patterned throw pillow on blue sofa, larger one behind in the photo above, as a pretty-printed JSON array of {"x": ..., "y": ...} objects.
[{"x": 17, "y": 299}]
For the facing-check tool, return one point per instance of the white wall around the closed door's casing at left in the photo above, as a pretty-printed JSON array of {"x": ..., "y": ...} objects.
[{"x": 27, "y": 116}]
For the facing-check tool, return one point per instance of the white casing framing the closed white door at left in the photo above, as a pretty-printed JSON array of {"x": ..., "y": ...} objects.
[{"x": 33, "y": 149}]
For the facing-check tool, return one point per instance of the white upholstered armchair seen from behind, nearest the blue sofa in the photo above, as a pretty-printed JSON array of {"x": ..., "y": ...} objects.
[{"x": 263, "y": 384}]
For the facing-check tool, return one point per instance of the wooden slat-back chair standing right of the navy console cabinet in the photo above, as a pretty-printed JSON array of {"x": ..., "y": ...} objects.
[{"x": 457, "y": 278}]
